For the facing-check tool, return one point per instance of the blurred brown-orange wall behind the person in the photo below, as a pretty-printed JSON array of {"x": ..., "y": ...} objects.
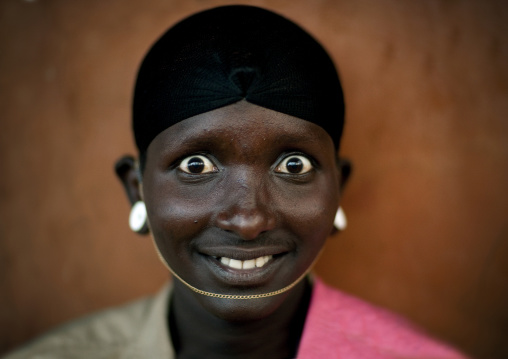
[{"x": 427, "y": 128}]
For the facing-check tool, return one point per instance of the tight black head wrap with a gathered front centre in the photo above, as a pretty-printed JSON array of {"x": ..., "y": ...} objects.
[{"x": 232, "y": 53}]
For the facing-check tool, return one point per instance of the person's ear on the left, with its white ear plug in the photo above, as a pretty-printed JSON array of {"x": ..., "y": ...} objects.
[{"x": 129, "y": 176}]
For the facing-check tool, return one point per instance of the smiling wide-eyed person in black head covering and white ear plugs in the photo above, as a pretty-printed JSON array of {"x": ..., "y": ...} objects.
[{"x": 237, "y": 116}]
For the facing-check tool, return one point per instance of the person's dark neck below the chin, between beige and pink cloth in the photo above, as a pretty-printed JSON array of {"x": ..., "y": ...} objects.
[{"x": 275, "y": 336}]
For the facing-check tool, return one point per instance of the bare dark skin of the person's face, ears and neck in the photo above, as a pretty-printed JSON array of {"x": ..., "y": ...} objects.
[{"x": 240, "y": 182}]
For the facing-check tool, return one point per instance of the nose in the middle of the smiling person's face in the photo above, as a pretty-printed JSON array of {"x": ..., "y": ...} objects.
[{"x": 246, "y": 209}]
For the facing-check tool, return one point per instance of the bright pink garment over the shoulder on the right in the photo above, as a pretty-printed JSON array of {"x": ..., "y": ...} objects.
[{"x": 340, "y": 326}]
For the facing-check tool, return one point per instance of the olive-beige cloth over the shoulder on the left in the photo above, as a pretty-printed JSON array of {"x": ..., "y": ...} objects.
[{"x": 136, "y": 330}]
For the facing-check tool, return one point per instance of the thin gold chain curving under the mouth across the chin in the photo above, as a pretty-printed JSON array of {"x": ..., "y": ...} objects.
[{"x": 233, "y": 296}]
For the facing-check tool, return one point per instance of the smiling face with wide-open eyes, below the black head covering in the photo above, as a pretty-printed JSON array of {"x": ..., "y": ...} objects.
[{"x": 240, "y": 200}]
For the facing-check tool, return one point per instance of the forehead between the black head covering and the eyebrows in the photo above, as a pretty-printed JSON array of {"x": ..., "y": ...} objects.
[{"x": 243, "y": 125}]
